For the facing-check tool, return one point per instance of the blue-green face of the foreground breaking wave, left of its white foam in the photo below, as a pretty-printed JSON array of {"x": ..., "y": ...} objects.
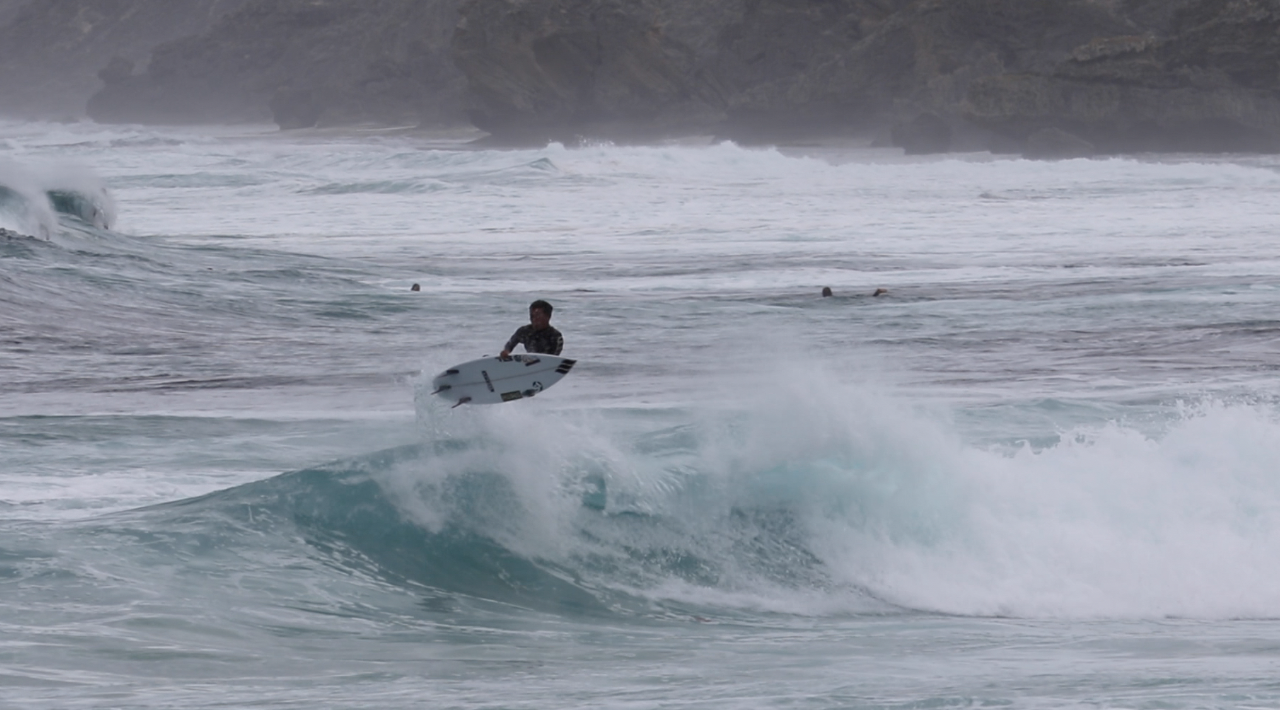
[{"x": 367, "y": 516}]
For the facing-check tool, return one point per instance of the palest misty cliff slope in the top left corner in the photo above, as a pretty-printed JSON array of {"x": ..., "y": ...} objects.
[{"x": 52, "y": 51}]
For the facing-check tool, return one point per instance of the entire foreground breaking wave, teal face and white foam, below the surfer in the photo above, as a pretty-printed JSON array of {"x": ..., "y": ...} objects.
[{"x": 884, "y": 514}]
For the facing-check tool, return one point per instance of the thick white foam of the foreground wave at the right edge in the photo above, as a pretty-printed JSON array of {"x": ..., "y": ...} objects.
[{"x": 1108, "y": 524}]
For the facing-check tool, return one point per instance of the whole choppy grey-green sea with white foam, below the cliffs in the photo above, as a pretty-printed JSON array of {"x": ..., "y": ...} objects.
[{"x": 1041, "y": 471}]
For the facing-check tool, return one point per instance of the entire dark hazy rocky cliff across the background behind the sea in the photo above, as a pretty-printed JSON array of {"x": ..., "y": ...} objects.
[{"x": 1053, "y": 77}]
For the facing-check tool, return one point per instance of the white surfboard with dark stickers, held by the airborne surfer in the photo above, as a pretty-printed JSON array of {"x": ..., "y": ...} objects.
[{"x": 492, "y": 381}]
